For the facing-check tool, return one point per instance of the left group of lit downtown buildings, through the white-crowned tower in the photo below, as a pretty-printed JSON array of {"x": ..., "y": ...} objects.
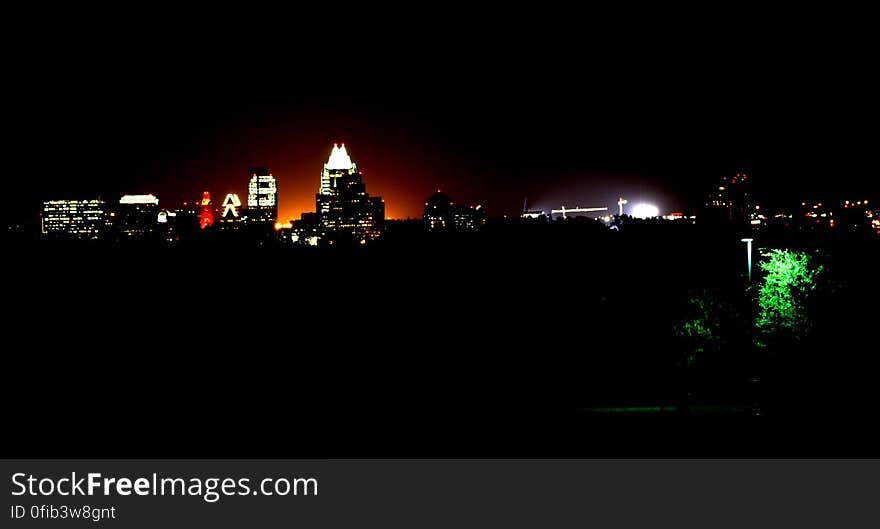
[{"x": 343, "y": 210}]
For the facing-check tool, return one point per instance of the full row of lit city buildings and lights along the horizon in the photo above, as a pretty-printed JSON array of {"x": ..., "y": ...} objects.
[{"x": 344, "y": 211}]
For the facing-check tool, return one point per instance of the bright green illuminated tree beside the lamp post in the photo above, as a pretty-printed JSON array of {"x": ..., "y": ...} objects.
[{"x": 789, "y": 280}]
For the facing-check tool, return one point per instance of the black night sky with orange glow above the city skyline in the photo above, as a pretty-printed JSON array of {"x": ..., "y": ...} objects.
[{"x": 559, "y": 109}]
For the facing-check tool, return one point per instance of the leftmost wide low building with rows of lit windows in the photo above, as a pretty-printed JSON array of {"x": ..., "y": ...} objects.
[{"x": 77, "y": 219}]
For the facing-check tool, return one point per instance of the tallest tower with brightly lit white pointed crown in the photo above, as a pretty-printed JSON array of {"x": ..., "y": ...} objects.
[{"x": 342, "y": 203}]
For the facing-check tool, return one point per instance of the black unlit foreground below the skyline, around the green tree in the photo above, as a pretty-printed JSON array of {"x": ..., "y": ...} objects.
[{"x": 509, "y": 343}]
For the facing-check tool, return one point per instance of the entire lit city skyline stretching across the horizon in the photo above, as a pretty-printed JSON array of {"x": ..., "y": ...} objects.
[{"x": 343, "y": 205}]
